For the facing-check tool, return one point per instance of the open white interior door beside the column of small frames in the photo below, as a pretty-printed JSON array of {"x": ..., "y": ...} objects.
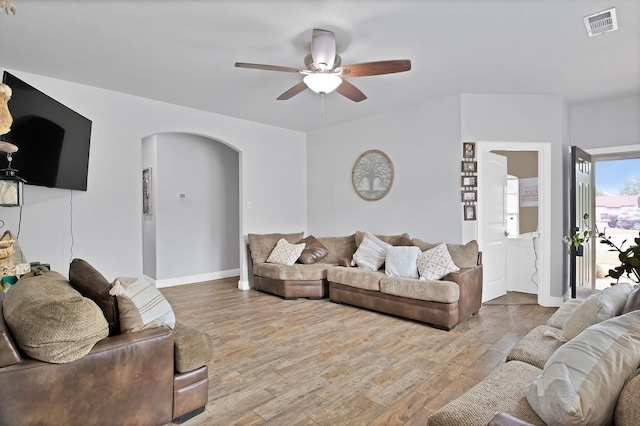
[{"x": 492, "y": 222}]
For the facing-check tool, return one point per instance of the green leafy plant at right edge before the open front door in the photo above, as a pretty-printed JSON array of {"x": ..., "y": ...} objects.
[{"x": 629, "y": 257}]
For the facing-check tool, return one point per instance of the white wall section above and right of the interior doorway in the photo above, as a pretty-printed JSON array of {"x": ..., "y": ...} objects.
[{"x": 524, "y": 118}]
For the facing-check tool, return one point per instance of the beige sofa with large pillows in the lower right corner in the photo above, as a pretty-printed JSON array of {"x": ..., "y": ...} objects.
[{"x": 601, "y": 381}]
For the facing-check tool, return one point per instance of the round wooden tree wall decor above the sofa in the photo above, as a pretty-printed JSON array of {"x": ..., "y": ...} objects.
[{"x": 372, "y": 175}]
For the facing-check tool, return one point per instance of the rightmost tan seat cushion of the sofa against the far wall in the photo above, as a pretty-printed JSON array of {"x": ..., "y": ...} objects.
[{"x": 433, "y": 291}]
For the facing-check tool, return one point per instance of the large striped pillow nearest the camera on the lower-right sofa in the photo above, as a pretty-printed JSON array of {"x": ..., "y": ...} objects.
[{"x": 581, "y": 381}]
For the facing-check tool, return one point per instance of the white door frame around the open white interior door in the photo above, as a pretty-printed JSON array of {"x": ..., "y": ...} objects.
[{"x": 470, "y": 228}]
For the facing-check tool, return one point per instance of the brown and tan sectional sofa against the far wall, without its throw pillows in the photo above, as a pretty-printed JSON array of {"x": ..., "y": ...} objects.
[{"x": 442, "y": 303}]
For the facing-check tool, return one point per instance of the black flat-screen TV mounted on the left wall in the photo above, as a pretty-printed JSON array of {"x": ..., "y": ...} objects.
[{"x": 52, "y": 139}]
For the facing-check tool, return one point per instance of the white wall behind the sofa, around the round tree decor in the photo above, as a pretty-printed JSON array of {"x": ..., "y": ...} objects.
[{"x": 424, "y": 145}]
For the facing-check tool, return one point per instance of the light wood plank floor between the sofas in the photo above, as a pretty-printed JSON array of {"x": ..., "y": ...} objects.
[{"x": 310, "y": 362}]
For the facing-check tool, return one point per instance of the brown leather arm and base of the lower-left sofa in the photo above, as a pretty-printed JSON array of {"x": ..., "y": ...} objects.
[{"x": 125, "y": 379}]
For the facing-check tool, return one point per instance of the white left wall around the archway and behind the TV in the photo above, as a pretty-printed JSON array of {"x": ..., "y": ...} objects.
[{"x": 106, "y": 218}]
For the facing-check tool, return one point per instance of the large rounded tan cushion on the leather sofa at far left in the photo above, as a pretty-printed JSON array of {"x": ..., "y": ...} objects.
[{"x": 51, "y": 321}]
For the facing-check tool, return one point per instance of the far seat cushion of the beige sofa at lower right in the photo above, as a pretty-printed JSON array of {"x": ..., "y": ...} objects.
[{"x": 535, "y": 348}]
